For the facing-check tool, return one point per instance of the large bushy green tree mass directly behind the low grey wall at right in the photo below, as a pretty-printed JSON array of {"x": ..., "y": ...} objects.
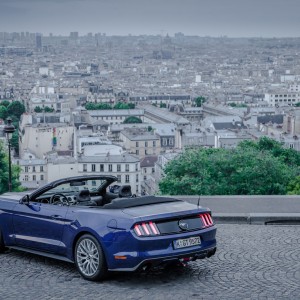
[{"x": 253, "y": 168}]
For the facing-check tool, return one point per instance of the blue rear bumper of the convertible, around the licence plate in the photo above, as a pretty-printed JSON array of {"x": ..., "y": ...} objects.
[{"x": 141, "y": 254}]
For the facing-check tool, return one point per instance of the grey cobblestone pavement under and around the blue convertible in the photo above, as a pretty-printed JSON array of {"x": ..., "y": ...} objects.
[{"x": 252, "y": 262}]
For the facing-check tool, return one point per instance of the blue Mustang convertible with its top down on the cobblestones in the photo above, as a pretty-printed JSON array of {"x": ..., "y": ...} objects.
[{"x": 80, "y": 220}]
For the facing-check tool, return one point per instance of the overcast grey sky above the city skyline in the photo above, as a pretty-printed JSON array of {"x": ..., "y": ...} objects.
[{"x": 234, "y": 18}]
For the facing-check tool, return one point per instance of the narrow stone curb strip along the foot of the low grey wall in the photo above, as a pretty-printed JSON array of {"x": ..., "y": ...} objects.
[{"x": 257, "y": 218}]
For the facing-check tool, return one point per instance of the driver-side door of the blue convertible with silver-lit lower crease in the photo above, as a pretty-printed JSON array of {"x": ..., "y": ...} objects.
[{"x": 40, "y": 226}]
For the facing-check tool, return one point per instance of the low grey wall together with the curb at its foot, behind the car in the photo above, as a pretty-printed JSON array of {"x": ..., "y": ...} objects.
[{"x": 251, "y": 209}]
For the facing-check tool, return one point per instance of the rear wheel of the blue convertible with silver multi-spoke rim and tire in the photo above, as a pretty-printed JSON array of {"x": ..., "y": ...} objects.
[{"x": 89, "y": 258}]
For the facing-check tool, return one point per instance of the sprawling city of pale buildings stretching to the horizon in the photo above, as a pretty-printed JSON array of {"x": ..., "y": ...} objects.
[{"x": 249, "y": 86}]
